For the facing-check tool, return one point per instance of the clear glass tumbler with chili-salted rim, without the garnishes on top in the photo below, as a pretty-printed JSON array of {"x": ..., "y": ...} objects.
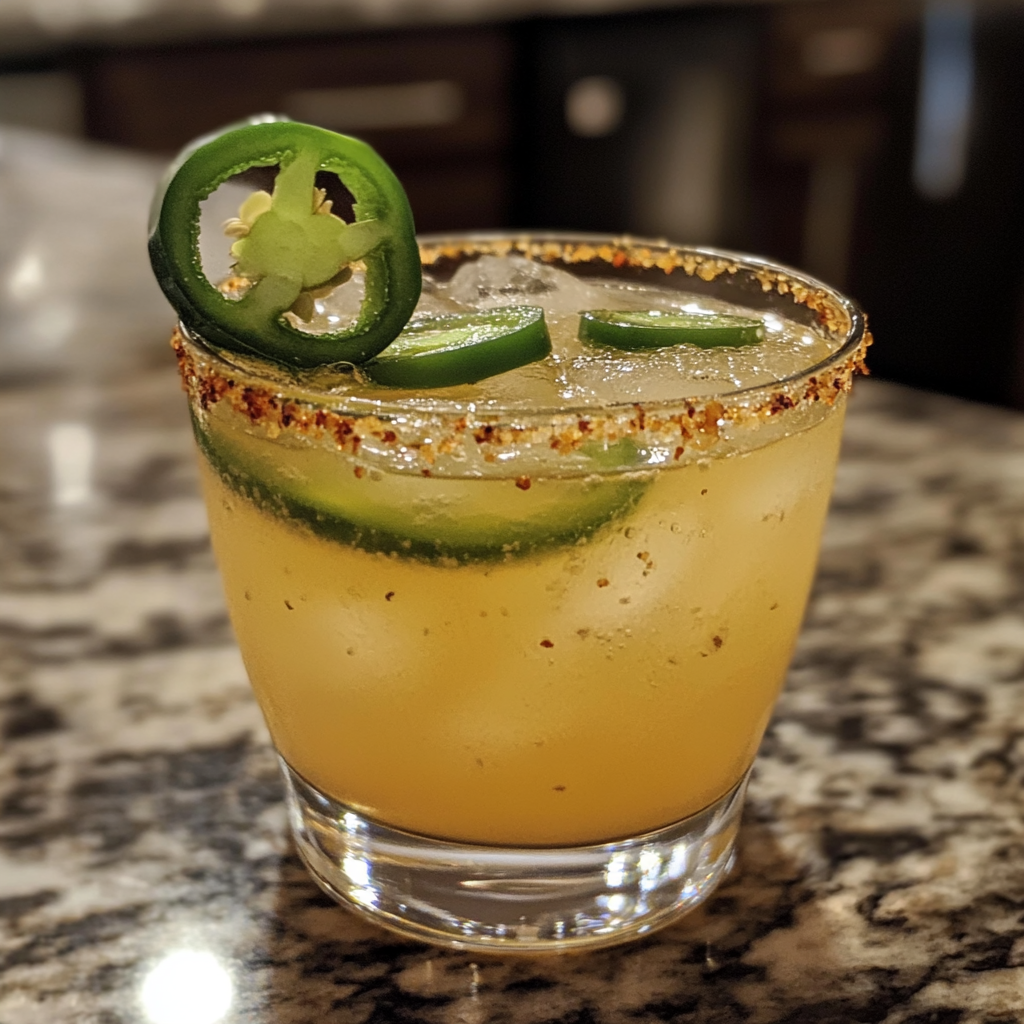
[{"x": 518, "y": 661}]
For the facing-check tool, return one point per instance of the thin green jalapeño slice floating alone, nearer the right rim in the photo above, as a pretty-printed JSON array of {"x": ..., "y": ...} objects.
[{"x": 658, "y": 329}]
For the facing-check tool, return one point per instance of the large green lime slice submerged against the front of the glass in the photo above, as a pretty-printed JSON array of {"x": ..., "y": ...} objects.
[{"x": 428, "y": 519}]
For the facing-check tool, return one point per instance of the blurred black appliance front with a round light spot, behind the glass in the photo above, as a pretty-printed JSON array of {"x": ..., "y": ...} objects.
[{"x": 641, "y": 124}]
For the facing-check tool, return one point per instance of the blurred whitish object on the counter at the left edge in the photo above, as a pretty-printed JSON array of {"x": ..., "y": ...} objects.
[{"x": 74, "y": 272}]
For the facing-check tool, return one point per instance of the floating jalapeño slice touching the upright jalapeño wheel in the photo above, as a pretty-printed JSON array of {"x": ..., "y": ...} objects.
[{"x": 463, "y": 349}]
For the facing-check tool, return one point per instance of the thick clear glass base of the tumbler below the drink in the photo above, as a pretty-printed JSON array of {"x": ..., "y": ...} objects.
[{"x": 515, "y": 900}]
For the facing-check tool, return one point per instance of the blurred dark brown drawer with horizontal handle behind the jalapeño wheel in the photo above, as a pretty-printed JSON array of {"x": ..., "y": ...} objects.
[{"x": 436, "y": 104}]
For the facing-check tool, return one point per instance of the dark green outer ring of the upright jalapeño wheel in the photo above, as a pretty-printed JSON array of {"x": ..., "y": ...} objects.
[{"x": 254, "y": 324}]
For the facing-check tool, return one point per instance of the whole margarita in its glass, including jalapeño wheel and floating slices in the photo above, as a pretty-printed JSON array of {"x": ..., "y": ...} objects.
[{"x": 517, "y": 534}]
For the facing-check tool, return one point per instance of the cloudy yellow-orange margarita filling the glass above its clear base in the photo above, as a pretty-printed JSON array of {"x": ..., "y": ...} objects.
[{"x": 481, "y": 618}]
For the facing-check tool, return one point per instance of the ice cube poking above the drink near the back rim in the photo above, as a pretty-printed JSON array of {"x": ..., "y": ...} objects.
[{"x": 494, "y": 281}]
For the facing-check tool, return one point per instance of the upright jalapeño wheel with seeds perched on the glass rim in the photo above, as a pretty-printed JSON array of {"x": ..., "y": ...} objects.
[{"x": 290, "y": 247}]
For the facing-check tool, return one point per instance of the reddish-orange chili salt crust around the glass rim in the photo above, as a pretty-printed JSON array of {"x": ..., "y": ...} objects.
[{"x": 682, "y": 423}]
